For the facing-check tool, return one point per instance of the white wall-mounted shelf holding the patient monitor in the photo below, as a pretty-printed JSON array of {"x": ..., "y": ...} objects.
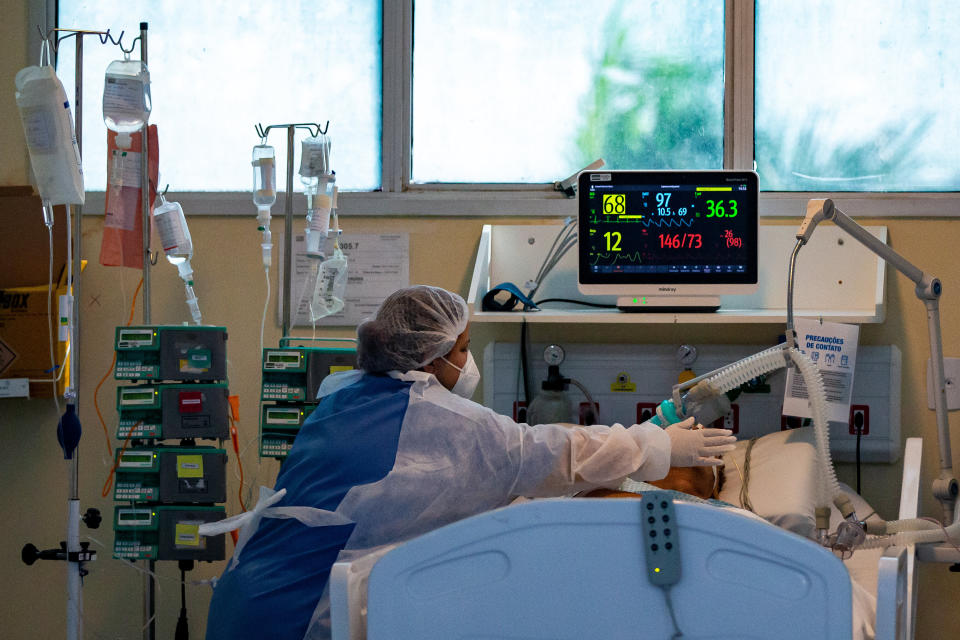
[{"x": 837, "y": 280}]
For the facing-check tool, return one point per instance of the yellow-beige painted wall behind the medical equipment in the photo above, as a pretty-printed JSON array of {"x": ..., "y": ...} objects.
[{"x": 230, "y": 288}]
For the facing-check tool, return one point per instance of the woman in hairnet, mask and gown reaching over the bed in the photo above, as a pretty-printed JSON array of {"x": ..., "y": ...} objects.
[{"x": 398, "y": 449}]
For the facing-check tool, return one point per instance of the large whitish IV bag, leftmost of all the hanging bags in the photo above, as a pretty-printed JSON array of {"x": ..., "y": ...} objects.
[{"x": 51, "y": 141}]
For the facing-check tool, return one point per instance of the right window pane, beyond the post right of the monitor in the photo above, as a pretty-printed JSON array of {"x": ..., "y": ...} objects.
[{"x": 859, "y": 95}]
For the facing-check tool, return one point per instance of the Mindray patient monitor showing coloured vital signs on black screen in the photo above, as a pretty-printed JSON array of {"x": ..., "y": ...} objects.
[{"x": 667, "y": 240}]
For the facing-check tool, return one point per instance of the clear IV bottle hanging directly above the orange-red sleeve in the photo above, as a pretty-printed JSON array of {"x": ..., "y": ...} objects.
[{"x": 126, "y": 98}]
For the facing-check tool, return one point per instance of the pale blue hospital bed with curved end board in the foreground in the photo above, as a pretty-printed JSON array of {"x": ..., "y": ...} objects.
[{"x": 575, "y": 569}]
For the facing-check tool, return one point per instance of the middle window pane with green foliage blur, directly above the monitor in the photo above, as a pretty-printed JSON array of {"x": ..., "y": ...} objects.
[{"x": 507, "y": 91}]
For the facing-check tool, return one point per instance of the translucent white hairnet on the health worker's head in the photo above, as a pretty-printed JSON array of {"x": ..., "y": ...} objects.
[{"x": 412, "y": 327}]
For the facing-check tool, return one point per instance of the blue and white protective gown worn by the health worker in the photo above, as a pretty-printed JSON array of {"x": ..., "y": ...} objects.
[{"x": 399, "y": 455}]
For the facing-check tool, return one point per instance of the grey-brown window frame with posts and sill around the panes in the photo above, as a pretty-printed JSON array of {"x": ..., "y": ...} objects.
[{"x": 398, "y": 197}]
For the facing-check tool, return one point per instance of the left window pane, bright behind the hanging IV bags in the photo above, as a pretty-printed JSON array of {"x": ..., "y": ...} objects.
[{"x": 218, "y": 67}]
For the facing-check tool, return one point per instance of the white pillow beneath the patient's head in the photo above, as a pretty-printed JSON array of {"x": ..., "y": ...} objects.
[{"x": 782, "y": 484}]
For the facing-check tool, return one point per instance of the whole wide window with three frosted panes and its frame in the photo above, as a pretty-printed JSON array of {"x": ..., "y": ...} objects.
[{"x": 497, "y": 100}]
